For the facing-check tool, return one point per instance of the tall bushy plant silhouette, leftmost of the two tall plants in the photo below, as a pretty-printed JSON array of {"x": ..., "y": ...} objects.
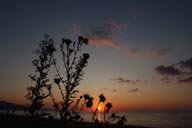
[{"x": 38, "y": 92}]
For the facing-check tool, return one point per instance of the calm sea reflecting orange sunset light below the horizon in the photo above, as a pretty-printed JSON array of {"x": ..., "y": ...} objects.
[{"x": 151, "y": 119}]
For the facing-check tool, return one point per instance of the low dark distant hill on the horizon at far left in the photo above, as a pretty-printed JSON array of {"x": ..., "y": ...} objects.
[{"x": 4, "y": 105}]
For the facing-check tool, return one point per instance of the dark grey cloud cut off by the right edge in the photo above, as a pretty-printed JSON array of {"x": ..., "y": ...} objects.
[{"x": 180, "y": 72}]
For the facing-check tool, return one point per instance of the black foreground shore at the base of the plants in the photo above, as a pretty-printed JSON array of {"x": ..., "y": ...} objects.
[{"x": 13, "y": 121}]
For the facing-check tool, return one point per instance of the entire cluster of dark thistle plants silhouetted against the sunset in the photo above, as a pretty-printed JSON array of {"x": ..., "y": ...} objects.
[{"x": 66, "y": 81}]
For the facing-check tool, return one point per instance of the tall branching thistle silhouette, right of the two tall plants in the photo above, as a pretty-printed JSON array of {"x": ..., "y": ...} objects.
[{"x": 73, "y": 64}]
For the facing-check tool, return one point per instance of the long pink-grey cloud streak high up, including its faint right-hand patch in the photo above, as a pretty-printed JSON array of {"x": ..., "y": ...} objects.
[{"x": 104, "y": 34}]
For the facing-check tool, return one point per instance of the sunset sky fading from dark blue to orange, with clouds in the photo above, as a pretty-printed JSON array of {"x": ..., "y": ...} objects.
[{"x": 140, "y": 50}]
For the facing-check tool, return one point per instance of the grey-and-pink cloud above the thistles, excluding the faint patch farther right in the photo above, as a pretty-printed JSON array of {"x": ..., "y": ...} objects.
[{"x": 100, "y": 36}]
